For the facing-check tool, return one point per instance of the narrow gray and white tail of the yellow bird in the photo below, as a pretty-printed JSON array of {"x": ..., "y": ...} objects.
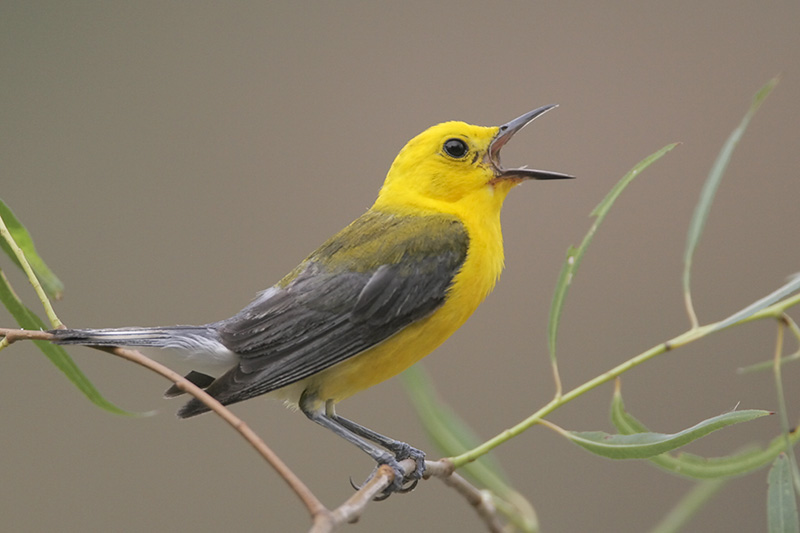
[{"x": 162, "y": 337}]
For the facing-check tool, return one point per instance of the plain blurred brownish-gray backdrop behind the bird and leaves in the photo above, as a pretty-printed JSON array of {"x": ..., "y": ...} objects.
[{"x": 172, "y": 159}]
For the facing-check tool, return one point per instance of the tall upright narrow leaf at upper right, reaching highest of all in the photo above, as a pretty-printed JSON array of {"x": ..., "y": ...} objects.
[{"x": 712, "y": 183}]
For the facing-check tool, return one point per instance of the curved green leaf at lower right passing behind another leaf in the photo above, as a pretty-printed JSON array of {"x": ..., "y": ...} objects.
[{"x": 697, "y": 467}]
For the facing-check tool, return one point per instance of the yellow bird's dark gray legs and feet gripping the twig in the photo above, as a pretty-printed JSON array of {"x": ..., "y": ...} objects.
[{"x": 344, "y": 428}]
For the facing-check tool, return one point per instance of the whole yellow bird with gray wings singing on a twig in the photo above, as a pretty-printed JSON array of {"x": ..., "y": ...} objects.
[{"x": 371, "y": 301}]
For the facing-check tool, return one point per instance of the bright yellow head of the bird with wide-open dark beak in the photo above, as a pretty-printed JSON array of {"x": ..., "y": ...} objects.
[{"x": 455, "y": 162}]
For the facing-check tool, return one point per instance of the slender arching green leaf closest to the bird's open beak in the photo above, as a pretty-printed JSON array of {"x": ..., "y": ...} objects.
[{"x": 574, "y": 255}]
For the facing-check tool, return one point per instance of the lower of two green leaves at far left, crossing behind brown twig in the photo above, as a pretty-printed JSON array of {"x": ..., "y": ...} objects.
[{"x": 57, "y": 355}]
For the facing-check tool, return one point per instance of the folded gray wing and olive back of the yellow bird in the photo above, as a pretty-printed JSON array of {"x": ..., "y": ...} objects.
[{"x": 342, "y": 300}]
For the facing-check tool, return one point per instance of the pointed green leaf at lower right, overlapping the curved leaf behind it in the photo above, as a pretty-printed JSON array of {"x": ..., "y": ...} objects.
[{"x": 645, "y": 445}]
